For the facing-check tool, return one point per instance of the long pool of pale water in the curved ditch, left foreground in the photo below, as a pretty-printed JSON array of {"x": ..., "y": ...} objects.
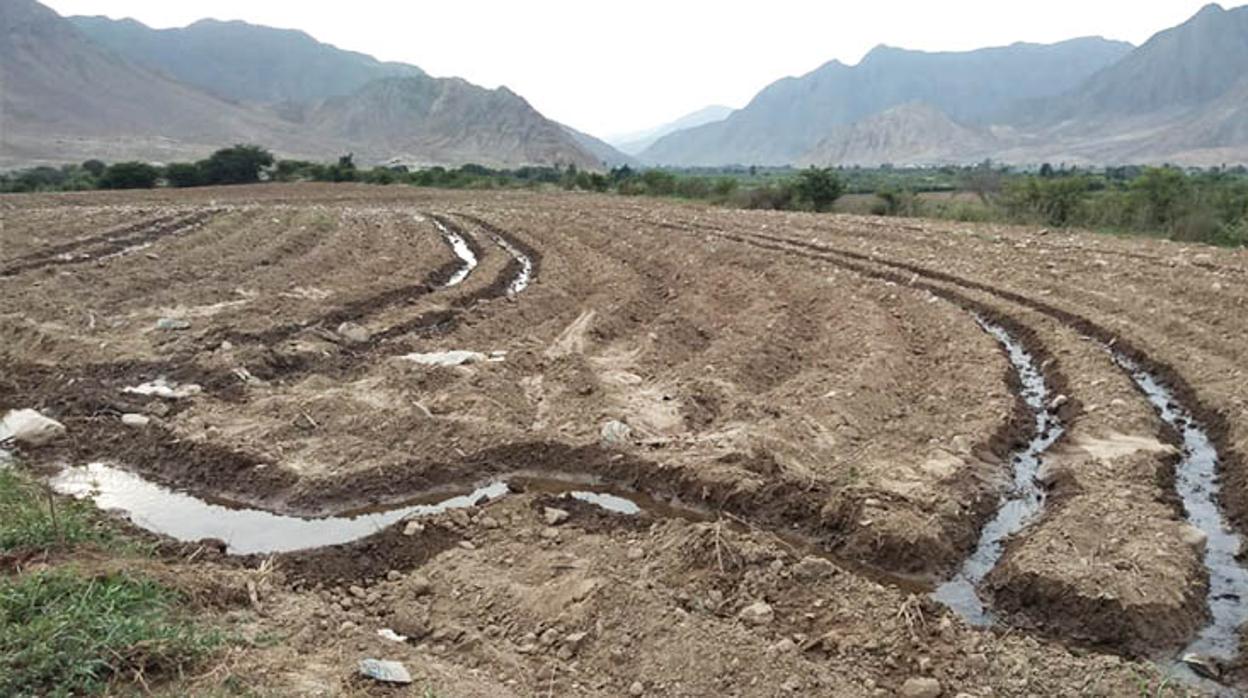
[{"x": 248, "y": 531}]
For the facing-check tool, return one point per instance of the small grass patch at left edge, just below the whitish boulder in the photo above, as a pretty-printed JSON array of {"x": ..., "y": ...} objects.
[{"x": 34, "y": 523}]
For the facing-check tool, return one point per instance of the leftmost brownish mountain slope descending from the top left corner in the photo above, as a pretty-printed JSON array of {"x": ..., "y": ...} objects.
[{"x": 67, "y": 98}]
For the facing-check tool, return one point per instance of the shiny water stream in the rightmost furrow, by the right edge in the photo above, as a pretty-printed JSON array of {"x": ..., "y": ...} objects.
[{"x": 1197, "y": 485}]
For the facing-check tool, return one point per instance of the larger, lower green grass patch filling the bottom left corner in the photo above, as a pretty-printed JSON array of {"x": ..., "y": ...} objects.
[{"x": 63, "y": 634}]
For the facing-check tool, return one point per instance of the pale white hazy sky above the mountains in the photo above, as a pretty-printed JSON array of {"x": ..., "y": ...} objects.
[{"x": 611, "y": 68}]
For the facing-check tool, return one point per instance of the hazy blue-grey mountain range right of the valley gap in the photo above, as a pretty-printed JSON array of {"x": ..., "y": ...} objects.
[{"x": 1180, "y": 98}]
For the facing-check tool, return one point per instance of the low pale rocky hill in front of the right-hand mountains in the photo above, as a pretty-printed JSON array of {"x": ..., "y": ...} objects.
[{"x": 909, "y": 135}]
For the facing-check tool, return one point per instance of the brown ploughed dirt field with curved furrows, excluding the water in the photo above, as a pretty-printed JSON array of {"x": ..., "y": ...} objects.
[{"x": 818, "y": 431}]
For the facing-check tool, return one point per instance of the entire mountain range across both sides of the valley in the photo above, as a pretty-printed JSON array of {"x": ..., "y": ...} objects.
[{"x": 78, "y": 88}]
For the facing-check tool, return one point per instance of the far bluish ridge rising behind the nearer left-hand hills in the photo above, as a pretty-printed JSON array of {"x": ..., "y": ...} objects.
[{"x": 243, "y": 62}]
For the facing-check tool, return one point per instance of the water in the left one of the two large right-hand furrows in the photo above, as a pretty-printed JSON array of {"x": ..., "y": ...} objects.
[{"x": 1026, "y": 500}]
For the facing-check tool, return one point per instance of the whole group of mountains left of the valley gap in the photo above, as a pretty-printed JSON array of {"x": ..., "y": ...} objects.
[{"x": 69, "y": 98}]
